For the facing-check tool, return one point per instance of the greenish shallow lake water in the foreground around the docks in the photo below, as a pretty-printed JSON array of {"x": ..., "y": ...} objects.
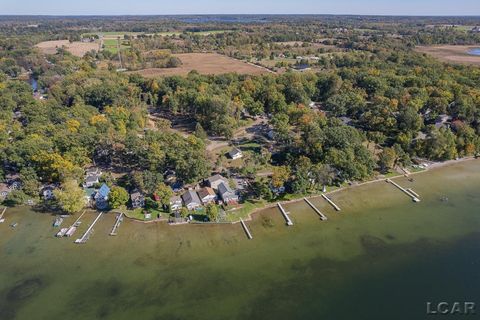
[{"x": 382, "y": 257}]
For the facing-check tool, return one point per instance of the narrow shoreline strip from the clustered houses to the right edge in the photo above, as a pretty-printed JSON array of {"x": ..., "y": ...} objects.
[{"x": 249, "y": 216}]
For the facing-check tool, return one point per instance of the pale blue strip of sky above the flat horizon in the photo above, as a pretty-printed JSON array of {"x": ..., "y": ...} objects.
[{"x": 162, "y": 7}]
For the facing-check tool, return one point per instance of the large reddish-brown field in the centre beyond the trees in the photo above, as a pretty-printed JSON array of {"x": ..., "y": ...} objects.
[{"x": 204, "y": 63}]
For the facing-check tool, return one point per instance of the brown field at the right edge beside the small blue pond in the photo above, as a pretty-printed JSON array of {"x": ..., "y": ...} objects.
[{"x": 452, "y": 54}]
